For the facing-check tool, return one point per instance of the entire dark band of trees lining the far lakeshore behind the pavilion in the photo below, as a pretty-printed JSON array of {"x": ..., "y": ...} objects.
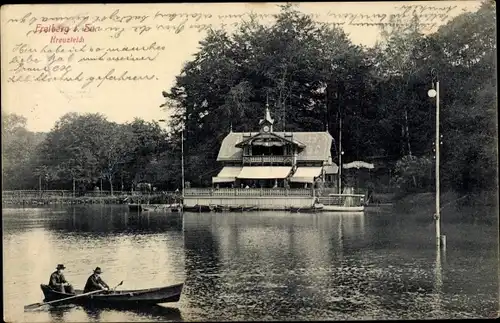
[{"x": 311, "y": 74}]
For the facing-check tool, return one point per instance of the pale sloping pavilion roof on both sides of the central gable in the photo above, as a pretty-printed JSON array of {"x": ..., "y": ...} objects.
[{"x": 317, "y": 145}]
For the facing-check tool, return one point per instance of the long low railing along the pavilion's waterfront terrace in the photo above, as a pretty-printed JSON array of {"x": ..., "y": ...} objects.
[{"x": 200, "y": 192}]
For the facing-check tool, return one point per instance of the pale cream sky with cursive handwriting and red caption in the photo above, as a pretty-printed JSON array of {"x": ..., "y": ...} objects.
[{"x": 43, "y": 103}]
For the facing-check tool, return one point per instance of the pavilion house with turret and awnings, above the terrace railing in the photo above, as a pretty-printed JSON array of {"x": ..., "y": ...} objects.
[{"x": 268, "y": 159}]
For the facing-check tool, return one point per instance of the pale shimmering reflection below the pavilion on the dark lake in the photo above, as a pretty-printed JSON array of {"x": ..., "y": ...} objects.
[{"x": 285, "y": 254}]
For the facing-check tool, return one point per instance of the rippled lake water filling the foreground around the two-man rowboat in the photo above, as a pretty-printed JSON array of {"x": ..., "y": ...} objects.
[{"x": 253, "y": 266}]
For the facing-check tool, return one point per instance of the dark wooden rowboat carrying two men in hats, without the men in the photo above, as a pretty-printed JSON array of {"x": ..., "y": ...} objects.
[{"x": 139, "y": 297}]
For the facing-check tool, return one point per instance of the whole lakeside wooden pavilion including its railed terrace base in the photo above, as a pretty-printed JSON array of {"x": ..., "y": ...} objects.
[{"x": 270, "y": 170}]
